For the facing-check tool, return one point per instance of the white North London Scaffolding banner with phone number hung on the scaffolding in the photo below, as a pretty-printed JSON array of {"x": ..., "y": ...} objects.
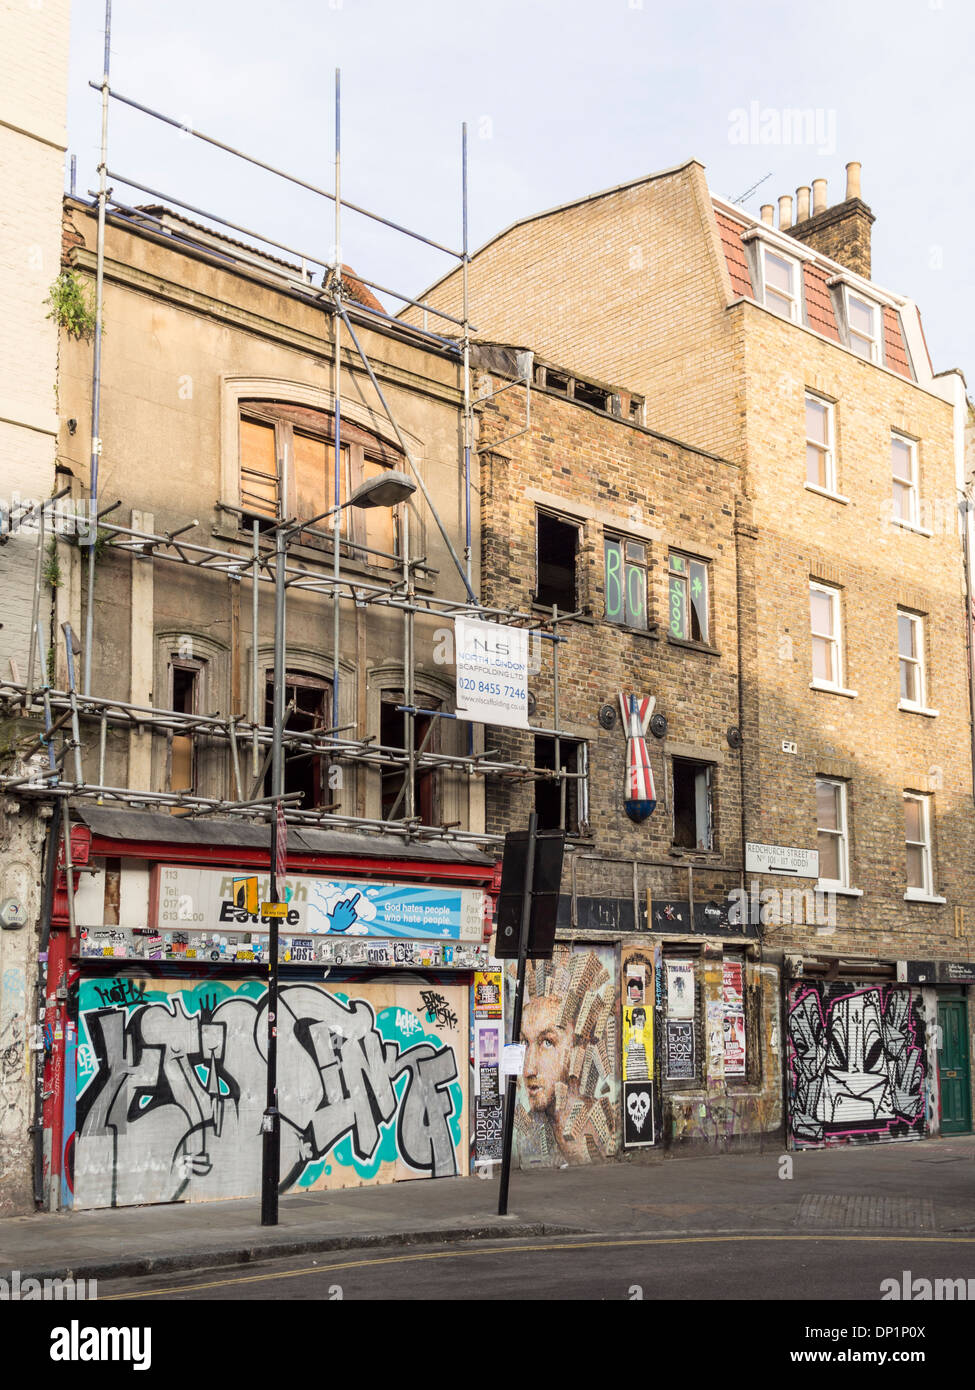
[{"x": 493, "y": 673}]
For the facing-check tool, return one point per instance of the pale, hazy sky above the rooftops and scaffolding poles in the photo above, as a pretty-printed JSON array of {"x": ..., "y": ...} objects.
[{"x": 563, "y": 98}]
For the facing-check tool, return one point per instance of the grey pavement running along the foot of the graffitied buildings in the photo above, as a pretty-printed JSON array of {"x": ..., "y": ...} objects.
[{"x": 924, "y": 1188}]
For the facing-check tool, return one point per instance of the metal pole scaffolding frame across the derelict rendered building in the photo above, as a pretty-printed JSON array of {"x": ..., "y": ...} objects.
[{"x": 65, "y": 711}]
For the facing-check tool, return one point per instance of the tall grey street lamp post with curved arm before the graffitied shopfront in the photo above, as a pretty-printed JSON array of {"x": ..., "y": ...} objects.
[{"x": 387, "y": 490}]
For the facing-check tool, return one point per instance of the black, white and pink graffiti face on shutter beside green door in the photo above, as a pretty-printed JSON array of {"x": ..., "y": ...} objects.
[{"x": 856, "y": 1064}]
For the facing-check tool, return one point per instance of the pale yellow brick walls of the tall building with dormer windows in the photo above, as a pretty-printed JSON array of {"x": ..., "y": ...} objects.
[{"x": 727, "y": 375}]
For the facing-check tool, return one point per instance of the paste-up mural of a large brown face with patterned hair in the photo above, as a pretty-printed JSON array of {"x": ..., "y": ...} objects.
[{"x": 570, "y": 1093}]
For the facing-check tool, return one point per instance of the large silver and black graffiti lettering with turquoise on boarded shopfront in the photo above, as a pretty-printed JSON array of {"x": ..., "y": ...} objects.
[{"x": 172, "y": 1088}]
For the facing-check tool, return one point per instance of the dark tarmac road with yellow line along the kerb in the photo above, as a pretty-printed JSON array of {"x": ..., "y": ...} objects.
[{"x": 615, "y": 1268}]
